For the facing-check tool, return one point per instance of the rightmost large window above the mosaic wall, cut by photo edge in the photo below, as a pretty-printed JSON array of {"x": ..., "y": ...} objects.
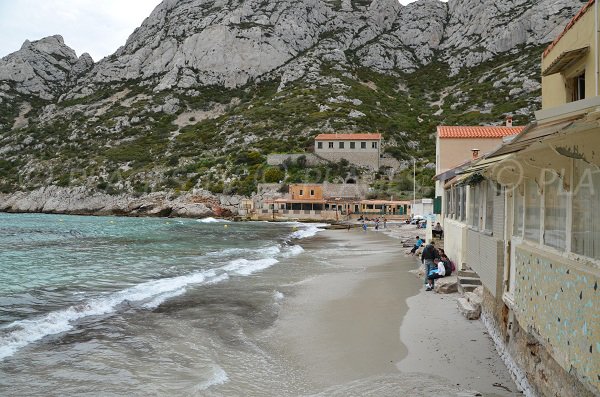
[{"x": 585, "y": 234}]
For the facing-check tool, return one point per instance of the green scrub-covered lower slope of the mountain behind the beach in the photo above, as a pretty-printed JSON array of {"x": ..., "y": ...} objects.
[{"x": 121, "y": 139}]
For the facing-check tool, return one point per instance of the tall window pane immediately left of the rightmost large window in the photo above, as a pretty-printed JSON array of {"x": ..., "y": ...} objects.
[{"x": 555, "y": 211}]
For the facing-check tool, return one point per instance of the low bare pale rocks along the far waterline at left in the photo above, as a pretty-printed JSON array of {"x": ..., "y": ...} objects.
[{"x": 83, "y": 201}]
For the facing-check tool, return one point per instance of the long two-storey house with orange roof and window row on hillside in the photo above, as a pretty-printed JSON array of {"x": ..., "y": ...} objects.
[{"x": 363, "y": 150}]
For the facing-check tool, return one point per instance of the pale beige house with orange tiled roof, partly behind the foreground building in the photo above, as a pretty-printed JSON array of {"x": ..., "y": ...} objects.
[{"x": 455, "y": 145}]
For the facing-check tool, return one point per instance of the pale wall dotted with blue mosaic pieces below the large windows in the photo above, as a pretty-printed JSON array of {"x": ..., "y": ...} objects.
[{"x": 561, "y": 303}]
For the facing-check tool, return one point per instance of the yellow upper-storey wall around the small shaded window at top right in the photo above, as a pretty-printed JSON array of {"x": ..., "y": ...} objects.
[{"x": 581, "y": 34}]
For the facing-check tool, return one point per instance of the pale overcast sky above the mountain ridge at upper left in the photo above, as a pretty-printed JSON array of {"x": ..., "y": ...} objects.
[{"x": 98, "y": 27}]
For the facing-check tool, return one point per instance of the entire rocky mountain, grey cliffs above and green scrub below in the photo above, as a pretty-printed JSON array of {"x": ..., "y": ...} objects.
[{"x": 205, "y": 89}]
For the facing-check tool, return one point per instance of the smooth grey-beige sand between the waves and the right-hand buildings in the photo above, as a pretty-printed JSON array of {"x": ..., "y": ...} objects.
[{"x": 366, "y": 326}]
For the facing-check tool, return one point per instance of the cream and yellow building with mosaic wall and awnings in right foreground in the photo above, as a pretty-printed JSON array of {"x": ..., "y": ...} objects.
[{"x": 532, "y": 206}]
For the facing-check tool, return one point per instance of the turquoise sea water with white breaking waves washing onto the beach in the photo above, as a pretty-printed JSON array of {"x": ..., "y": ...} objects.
[{"x": 145, "y": 306}]
